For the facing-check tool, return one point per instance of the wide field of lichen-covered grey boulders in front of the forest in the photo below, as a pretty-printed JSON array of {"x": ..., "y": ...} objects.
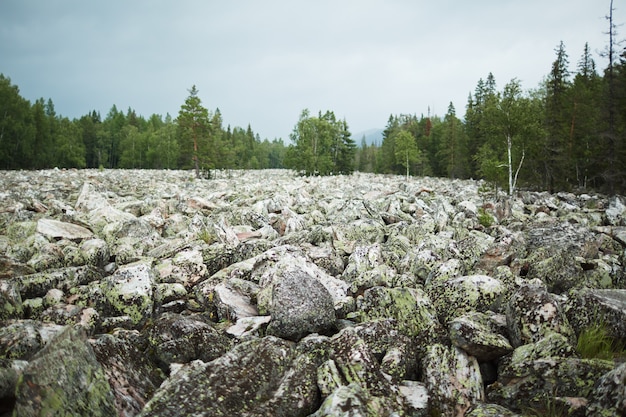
[{"x": 261, "y": 293}]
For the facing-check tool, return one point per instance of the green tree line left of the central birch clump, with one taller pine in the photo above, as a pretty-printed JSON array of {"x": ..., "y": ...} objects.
[{"x": 34, "y": 136}]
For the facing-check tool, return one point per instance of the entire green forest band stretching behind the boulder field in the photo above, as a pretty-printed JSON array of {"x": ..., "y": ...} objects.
[{"x": 568, "y": 133}]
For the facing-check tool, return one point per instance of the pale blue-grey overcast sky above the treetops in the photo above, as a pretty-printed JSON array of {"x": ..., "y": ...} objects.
[{"x": 262, "y": 62}]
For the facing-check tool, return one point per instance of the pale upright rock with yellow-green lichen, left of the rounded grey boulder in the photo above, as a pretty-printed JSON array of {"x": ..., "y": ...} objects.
[{"x": 129, "y": 291}]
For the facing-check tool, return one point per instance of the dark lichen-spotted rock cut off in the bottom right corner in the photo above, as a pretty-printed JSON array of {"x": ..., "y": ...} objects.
[{"x": 608, "y": 397}]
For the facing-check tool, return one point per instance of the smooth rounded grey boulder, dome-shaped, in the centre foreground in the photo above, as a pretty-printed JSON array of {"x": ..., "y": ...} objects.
[{"x": 300, "y": 305}]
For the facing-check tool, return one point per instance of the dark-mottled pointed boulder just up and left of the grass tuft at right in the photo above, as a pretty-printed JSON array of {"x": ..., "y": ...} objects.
[{"x": 532, "y": 312}]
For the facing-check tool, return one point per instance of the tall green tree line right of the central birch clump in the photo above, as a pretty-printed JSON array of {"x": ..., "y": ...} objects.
[{"x": 567, "y": 134}]
